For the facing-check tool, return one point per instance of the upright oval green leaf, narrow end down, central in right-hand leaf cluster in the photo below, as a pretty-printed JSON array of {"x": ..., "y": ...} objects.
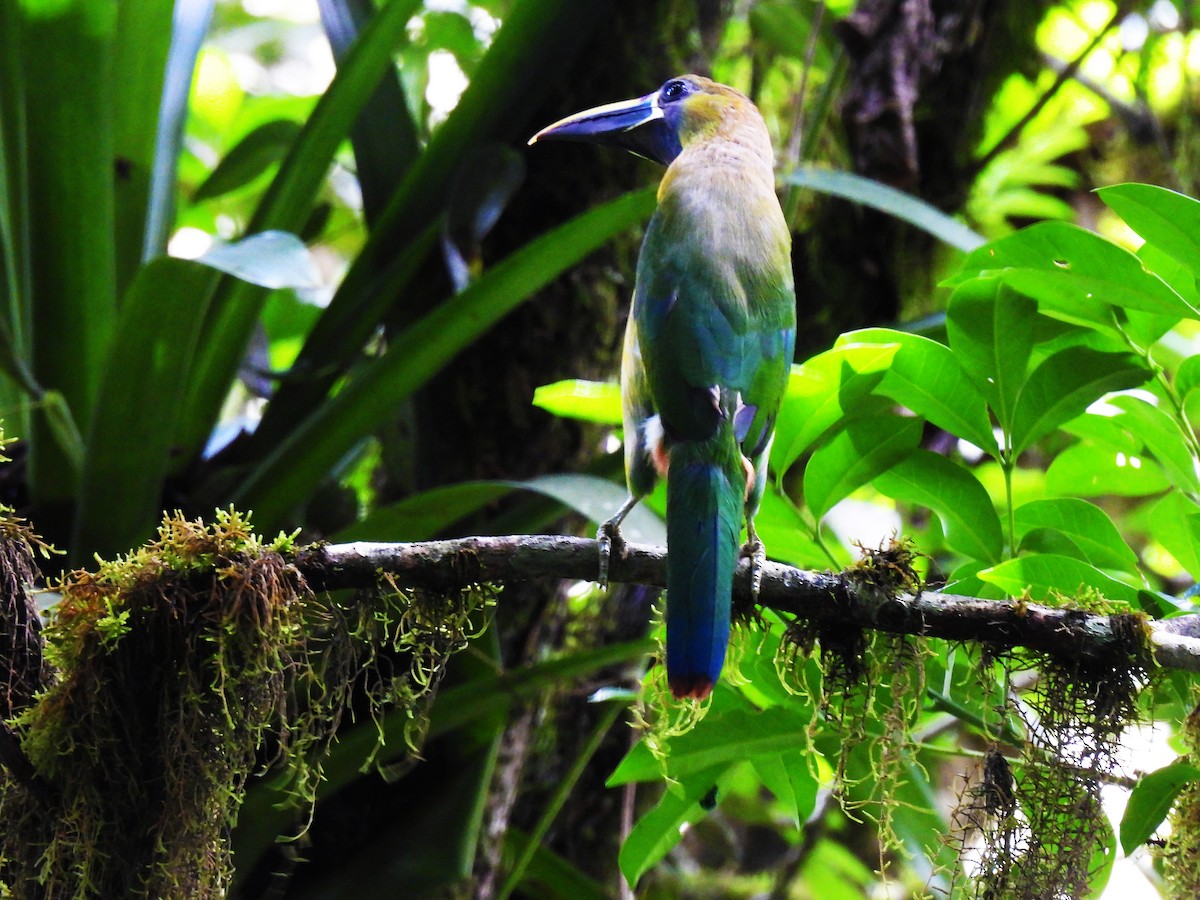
[{"x": 992, "y": 331}]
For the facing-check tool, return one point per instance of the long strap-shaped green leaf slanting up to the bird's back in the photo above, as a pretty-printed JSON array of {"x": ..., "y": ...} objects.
[{"x": 415, "y": 356}]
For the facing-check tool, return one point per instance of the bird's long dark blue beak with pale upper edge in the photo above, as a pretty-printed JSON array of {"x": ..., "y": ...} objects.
[{"x": 638, "y": 125}]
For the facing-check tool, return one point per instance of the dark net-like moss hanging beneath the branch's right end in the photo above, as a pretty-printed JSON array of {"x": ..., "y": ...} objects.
[{"x": 1033, "y": 827}]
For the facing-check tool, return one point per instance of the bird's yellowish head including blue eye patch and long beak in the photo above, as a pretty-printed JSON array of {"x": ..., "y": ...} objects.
[{"x": 661, "y": 125}]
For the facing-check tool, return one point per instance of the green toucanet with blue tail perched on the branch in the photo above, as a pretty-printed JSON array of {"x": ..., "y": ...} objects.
[{"x": 707, "y": 351}]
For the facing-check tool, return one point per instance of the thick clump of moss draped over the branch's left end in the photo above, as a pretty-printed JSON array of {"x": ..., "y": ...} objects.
[{"x": 179, "y": 667}]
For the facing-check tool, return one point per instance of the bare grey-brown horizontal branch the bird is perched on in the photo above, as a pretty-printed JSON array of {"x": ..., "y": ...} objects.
[{"x": 825, "y": 599}]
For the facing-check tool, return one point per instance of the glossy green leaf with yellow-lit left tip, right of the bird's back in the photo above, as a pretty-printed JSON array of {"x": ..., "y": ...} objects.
[{"x": 926, "y": 377}]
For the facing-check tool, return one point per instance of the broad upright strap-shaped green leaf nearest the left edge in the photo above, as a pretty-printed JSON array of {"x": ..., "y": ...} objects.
[{"x": 69, "y": 119}]
